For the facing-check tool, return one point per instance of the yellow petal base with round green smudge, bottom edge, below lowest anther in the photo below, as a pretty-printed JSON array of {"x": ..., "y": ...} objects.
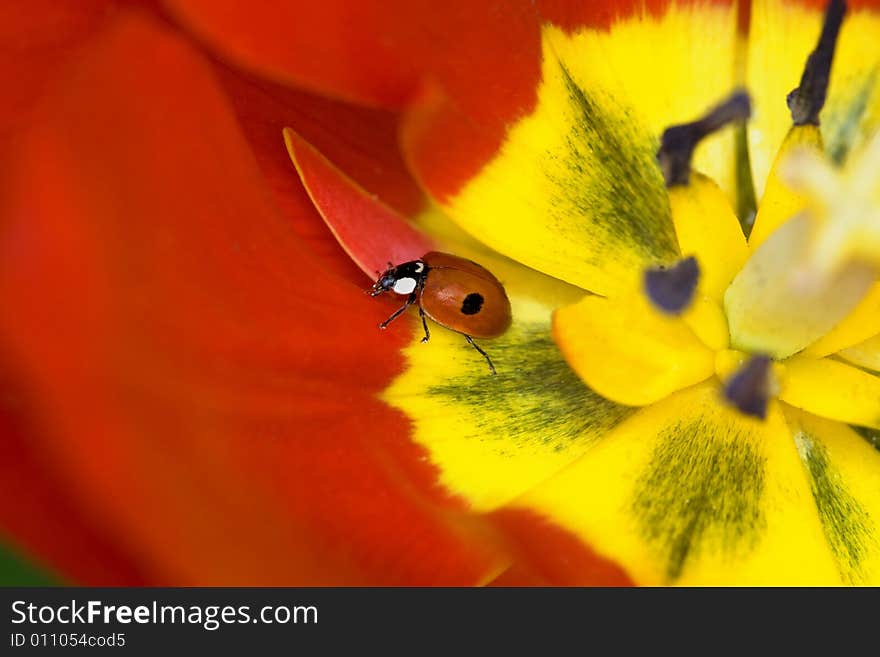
[{"x": 690, "y": 492}]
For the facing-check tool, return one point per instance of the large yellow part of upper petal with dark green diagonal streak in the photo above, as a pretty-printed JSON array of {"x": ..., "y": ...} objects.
[{"x": 575, "y": 191}]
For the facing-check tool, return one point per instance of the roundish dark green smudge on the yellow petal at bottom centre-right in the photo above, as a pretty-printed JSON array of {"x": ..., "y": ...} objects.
[{"x": 702, "y": 491}]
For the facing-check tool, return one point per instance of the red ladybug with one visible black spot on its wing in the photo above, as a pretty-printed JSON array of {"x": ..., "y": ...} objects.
[{"x": 456, "y": 293}]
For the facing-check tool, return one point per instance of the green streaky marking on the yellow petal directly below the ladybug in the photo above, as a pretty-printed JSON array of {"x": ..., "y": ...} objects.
[{"x": 535, "y": 399}]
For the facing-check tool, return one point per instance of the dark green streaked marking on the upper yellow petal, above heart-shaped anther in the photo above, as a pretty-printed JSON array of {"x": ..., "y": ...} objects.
[{"x": 611, "y": 175}]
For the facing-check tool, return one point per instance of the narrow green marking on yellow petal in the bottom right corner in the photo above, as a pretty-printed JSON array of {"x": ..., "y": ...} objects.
[{"x": 846, "y": 523}]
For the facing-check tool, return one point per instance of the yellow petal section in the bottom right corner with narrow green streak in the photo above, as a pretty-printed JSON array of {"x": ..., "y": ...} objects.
[{"x": 844, "y": 473}]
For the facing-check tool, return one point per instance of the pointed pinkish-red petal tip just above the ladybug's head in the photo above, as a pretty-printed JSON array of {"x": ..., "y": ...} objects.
[{"x": 370, "y": 232}]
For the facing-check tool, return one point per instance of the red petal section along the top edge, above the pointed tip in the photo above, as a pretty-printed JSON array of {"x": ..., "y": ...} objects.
[{"x": 379, "y": 52}]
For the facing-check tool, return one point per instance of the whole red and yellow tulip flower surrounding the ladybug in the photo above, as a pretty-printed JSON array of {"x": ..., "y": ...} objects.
[{"x": 680, "y": 199}]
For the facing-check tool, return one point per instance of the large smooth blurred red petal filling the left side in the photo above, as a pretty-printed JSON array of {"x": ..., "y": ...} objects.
[{"x": 207, "y": 393}]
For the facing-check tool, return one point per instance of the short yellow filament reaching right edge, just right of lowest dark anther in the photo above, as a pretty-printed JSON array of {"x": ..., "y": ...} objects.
[{"x": 832, "y": 389}]
